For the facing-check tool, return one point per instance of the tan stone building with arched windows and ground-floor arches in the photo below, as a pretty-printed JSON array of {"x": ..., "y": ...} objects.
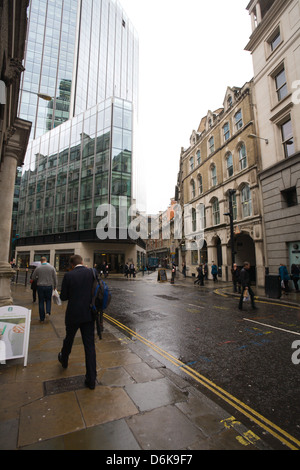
[{"x": 221, "y": 163}]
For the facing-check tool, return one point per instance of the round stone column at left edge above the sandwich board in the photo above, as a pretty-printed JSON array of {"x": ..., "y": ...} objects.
[{"x": 7, "y": 183}]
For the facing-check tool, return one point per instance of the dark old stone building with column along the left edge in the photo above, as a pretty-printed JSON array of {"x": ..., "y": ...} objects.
[{"x": 14, "y": 132}]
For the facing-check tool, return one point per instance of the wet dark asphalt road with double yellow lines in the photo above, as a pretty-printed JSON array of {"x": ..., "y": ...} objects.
[{"x": 203, "y": 336}]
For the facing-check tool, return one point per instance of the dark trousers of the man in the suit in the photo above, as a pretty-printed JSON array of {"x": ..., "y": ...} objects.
[{"x": 87, "y": 331}]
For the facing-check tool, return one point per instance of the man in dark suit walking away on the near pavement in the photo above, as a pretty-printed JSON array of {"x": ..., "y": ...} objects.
[{"x": 77, "y": 289}]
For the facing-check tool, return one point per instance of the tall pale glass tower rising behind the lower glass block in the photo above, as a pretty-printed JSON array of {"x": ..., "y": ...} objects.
[{"x": 79, "y": 52}]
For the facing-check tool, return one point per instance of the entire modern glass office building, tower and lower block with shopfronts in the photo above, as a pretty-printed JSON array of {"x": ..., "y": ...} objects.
[{"x": 84, "y": 55}]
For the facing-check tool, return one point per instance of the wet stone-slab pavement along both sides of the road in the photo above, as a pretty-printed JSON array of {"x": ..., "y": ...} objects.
[{"x": 138, "y": 404}]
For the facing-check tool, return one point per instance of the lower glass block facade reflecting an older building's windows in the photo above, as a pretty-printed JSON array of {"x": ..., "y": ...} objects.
[{"x": 76, "y": 167}]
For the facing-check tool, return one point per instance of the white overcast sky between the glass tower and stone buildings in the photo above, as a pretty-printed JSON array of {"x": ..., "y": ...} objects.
[{"x": 189, "y": 53}]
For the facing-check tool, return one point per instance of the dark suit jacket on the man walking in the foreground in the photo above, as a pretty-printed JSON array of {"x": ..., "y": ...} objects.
[{"x": 77, "y": 289}]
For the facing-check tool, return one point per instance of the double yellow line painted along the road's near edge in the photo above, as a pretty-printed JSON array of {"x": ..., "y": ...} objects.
[{"x": 251, "y": 414}]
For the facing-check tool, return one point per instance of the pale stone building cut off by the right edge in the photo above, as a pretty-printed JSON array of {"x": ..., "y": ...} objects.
[{"x": 275, "y": 48}]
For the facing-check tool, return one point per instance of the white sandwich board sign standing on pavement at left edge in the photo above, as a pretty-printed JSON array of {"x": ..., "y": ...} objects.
[{"x": 14, "y": 333}]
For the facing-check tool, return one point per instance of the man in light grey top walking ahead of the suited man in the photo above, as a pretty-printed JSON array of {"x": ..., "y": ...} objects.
[{"x": 45, "y": 275}]
